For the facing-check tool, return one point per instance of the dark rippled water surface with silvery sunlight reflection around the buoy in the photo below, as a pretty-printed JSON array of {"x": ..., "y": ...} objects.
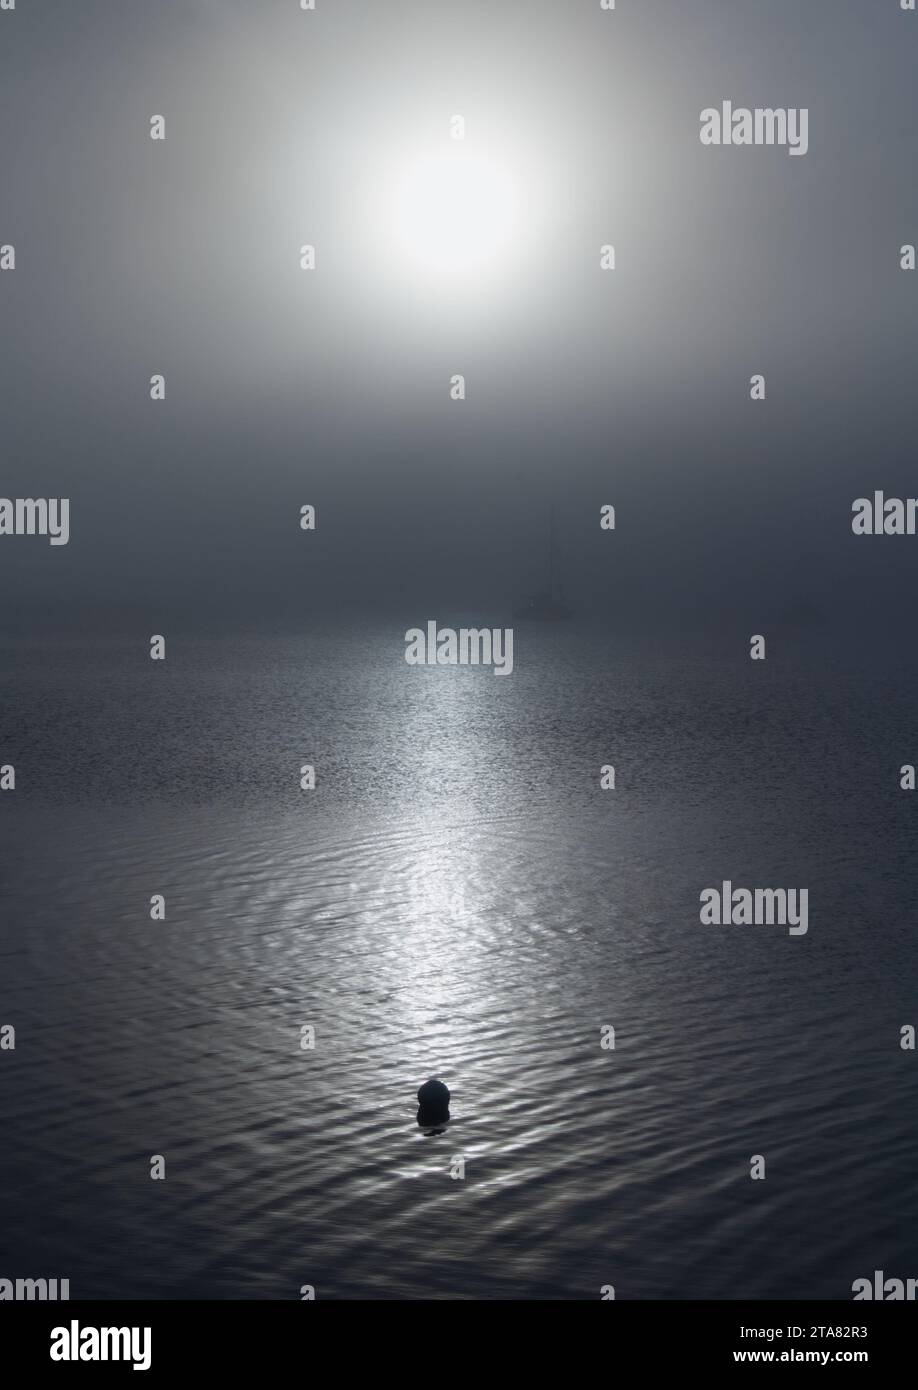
[{"x": 460, "y": 899}]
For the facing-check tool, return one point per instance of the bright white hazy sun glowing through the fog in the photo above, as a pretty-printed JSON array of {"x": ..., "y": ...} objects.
[{"x": 453, "y": 215}]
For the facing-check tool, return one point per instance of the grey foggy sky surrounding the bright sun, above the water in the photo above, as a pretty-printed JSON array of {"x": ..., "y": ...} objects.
[{"x": 332, "y": 387}]
